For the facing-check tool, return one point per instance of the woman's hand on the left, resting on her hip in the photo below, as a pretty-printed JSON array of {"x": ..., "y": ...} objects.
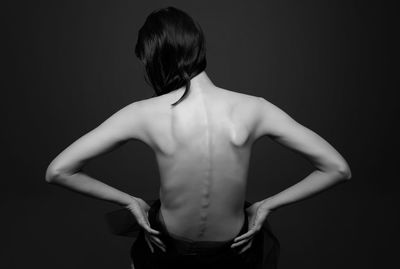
[{"x": 140, "y": 209}]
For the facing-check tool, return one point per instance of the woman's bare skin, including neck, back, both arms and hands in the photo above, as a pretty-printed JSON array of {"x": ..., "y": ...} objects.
[{"x": 202, "y": 147}]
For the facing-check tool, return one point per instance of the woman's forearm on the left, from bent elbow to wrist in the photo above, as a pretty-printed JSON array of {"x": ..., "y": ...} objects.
[{"x": 83, "y": 183}]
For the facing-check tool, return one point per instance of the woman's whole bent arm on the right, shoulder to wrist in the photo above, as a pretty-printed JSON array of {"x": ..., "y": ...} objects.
[{"x": 331, "y": 167}]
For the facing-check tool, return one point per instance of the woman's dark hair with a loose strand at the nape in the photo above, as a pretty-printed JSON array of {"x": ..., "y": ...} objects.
[{"x": 171, "y": 45}]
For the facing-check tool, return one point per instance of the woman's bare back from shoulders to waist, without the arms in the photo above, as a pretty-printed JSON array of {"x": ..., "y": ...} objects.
[{"x": 202, "y": 147}]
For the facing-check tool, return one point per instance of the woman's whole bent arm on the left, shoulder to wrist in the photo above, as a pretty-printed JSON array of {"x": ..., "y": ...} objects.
[{"x": 66, "y": 168}]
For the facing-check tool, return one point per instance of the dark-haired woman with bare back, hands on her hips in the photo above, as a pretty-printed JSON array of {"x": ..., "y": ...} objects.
[{"x": 202, "y": 137}]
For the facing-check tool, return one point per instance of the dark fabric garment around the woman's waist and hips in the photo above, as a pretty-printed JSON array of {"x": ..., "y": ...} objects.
[{"x": 186, "y": 253}]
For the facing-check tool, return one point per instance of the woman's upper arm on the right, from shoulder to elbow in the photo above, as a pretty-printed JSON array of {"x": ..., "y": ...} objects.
[{"x": 282, "y": 128}]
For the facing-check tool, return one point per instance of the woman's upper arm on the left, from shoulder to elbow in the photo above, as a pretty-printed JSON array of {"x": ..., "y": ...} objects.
[{"x": 123, "y": 125}]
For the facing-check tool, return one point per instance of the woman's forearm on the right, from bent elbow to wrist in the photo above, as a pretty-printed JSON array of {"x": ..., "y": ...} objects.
[{"x": 314, "y": 183}]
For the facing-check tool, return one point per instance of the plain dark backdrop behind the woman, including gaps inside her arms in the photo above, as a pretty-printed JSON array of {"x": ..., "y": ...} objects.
[{"x": 70, "y": 64}]
